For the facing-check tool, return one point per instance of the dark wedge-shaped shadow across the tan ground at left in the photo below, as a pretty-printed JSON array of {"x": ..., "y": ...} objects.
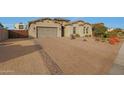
[{"x": 14, "y": 51}]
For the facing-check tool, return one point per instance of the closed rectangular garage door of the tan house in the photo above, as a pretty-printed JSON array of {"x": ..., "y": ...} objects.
[{"x": 46, "y": 32}]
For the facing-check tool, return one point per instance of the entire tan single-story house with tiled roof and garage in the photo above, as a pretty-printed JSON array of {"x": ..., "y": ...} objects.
[{"x": 58, "y": 27}]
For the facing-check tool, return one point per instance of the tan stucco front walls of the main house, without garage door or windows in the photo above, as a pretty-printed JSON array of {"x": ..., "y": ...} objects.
[{"x": 68, "y": 30}]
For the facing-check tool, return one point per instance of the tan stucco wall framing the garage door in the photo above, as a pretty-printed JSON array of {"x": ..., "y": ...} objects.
[{"x": 45, "y": 23}]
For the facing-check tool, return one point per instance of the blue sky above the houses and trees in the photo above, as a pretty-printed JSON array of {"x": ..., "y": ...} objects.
[{"x": 114, "y": 22}]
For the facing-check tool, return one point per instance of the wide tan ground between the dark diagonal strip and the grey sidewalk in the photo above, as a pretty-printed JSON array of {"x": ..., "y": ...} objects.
[{"x": 80, "y": 57}]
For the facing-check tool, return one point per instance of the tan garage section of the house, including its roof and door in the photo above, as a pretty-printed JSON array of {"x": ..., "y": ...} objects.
[{"x": 45, "y": 27}]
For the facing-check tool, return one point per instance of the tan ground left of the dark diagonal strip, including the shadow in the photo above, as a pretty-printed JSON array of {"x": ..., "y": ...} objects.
[{"x": 21, "y": 56}]
